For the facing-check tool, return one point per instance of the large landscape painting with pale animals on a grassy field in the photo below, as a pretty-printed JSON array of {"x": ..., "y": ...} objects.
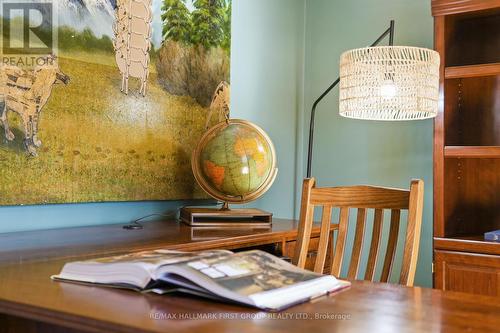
[{"x": 115, "y": 98}]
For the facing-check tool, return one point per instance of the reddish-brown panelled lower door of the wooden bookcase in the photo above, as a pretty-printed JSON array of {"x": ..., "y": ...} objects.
[{"x": 467, "y": 272}]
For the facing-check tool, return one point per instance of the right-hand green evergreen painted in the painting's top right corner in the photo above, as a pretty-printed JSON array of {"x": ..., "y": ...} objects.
[{"x": 208, "y": 21}]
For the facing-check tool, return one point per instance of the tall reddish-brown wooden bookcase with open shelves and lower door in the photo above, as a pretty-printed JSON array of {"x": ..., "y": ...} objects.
[{"x": 467, "y": 146}]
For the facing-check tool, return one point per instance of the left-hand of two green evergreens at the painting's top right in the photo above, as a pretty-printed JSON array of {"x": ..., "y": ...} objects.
[{"x": 176, "y": 21}]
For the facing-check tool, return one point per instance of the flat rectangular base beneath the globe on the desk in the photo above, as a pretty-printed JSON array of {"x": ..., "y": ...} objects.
[{"x": 225, "y": 217}]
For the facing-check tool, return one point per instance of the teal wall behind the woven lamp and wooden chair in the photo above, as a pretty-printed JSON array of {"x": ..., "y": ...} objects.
[{"x": 351, "y": 152}]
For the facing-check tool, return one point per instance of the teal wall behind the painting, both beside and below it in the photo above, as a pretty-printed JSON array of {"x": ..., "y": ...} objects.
[{"x": 266, "y": 79}]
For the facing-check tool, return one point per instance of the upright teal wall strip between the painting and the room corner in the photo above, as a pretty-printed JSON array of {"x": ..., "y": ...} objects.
[{"x": 267, "y": 84}]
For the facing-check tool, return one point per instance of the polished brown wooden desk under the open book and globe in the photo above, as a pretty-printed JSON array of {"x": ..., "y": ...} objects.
[{"x": 31, "y": 302}]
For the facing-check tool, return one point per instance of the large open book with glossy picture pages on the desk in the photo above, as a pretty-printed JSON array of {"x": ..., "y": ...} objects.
[{"x": 253, "y": 278}]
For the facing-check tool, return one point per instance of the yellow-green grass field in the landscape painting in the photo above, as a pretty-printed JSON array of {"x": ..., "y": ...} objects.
[{"x": 101, "y": 145}]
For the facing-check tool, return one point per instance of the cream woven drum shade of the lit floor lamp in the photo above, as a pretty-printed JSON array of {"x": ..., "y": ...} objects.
[{"x": 389, "y": 83}]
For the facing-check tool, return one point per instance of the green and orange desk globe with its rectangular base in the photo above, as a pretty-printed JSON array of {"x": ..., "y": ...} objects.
[{"x": 234, "y": 162}]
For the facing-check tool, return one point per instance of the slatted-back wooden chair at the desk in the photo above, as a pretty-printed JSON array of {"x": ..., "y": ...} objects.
[{"x": 362, "y": 198}]
